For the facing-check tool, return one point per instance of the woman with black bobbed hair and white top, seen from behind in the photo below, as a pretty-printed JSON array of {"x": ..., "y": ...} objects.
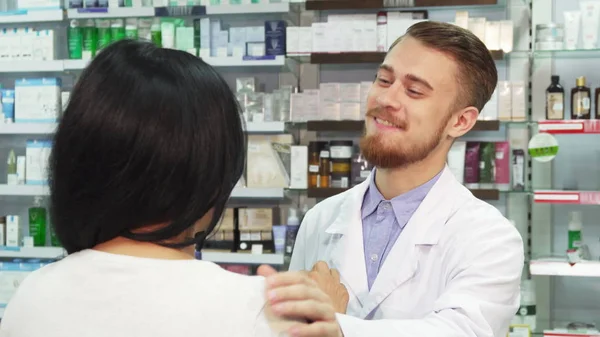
[{"x": 144, "y": 160}]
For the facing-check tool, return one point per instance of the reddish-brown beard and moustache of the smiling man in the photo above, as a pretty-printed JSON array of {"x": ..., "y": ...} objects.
[{"x": 382, "y": 153}]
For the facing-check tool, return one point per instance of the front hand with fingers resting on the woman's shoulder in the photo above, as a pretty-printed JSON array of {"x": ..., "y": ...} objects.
[{"x": 295, "y": 295}]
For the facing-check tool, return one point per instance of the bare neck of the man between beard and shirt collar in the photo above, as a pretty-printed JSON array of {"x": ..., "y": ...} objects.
[{"x": 397, "y": 181}]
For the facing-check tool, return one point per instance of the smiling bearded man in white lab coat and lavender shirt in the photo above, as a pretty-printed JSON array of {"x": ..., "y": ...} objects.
[{"x": 419, "y": 255}]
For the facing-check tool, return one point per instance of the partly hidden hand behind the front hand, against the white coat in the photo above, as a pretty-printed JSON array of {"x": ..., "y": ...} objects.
[{"x": 329, "y": 282}]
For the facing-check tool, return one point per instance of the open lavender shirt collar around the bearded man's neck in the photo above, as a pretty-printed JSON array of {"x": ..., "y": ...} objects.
[{"x": 408, "y": 201}]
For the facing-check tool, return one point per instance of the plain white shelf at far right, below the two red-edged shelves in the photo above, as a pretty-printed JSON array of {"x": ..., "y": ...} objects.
[{"x": 560, "y": 267}]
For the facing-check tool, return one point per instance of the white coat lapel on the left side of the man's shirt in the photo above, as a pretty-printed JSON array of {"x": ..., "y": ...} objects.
[{"x": 347, "y": 252}]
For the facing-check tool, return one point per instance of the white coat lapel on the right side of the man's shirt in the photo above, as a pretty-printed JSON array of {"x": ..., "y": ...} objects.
[{"x": 423, "y": 228}]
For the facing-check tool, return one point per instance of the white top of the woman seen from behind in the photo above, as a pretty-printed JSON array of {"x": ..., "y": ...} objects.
[{"x": 93, "y": 294}]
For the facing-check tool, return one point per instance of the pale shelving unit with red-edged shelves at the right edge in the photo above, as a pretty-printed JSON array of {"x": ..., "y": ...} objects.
[{"x": 569, "y": 183}]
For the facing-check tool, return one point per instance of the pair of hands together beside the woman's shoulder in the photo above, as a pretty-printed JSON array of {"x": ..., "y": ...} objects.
[{"x": 312, "y": 297}]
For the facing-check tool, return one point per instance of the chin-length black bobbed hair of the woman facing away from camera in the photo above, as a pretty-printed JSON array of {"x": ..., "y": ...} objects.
[{"x": 150, "y": 136}]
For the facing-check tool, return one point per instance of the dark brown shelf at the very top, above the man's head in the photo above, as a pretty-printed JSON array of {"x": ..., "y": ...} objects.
[{"x": 378, "y": 4}]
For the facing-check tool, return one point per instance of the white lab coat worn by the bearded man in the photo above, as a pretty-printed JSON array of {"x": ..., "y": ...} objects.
[{"x": 455, "y": 270}]
